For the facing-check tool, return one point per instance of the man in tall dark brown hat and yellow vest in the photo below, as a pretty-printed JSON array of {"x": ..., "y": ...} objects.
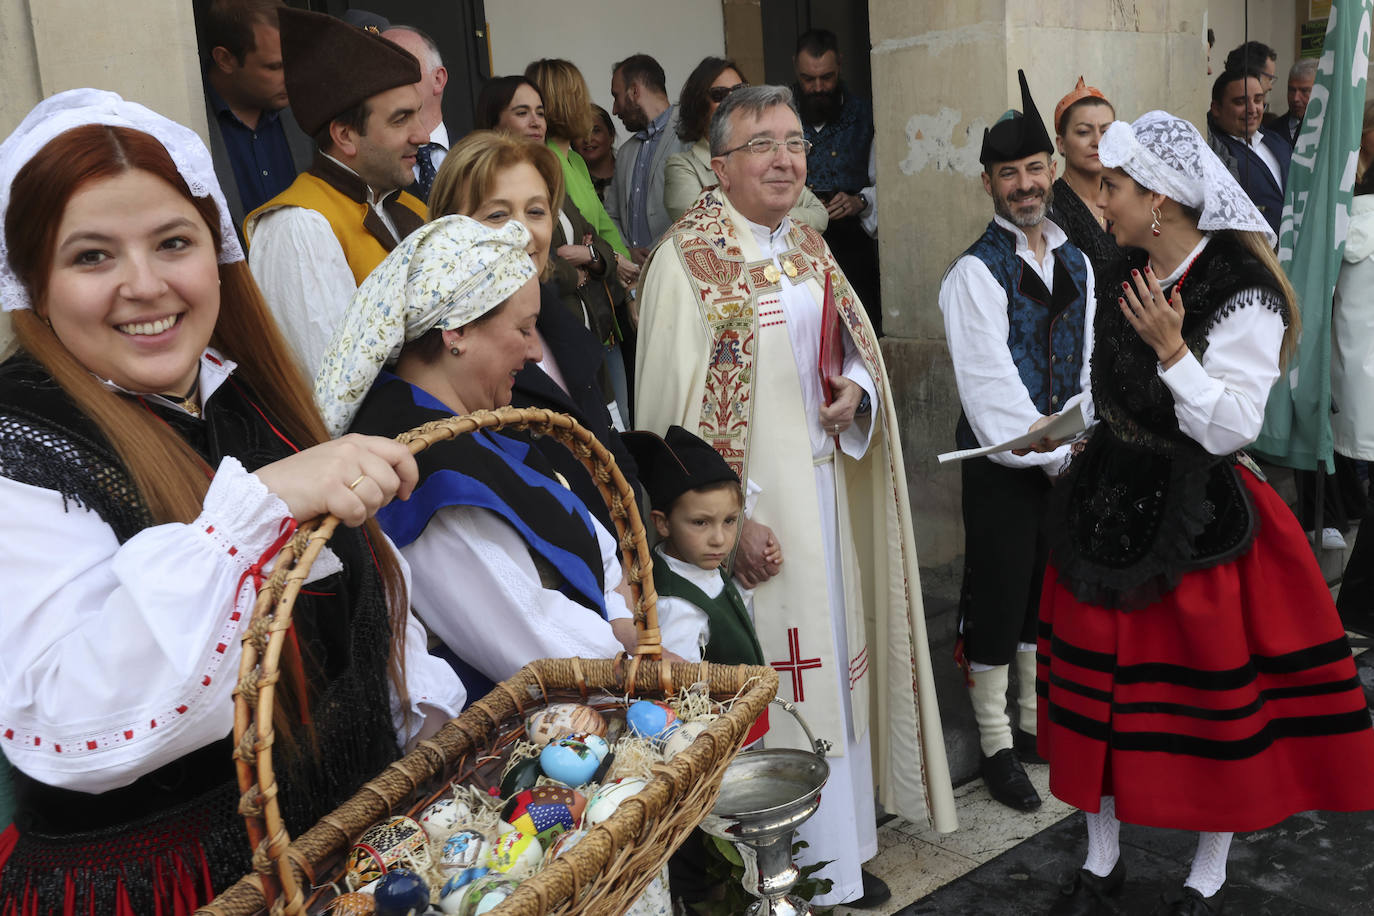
[{"x": 313, "y": 245}]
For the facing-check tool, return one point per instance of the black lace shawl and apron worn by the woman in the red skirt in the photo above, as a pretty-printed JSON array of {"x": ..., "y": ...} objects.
[{"x": 1144, "y": 503}]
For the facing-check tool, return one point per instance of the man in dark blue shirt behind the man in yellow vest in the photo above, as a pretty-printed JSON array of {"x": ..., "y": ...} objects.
[{"x": 255, "y": 141}]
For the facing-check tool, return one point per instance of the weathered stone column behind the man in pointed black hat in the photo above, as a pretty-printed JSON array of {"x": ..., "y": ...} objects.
[{"x": 943, "y": 72}]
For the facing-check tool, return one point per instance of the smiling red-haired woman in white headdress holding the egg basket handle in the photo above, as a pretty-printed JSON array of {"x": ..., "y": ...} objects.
[{"x": 146, "y": 479}]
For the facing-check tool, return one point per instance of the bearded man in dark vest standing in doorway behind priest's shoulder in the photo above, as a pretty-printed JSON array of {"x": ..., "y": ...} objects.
[{"x": 840, "y": 167}]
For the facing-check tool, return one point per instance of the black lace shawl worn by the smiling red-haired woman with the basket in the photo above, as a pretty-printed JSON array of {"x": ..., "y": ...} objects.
[{"x": 188, "y": 810}]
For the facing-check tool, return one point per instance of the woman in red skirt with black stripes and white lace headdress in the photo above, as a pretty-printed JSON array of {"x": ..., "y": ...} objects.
[{"x": 1195, "y": 671}]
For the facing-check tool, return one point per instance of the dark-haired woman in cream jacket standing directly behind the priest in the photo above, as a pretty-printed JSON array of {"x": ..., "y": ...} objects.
[{"x": 686, "y": 175}]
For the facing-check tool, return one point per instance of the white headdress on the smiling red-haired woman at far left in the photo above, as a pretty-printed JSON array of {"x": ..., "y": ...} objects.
[{"x": 76, "y": 109}]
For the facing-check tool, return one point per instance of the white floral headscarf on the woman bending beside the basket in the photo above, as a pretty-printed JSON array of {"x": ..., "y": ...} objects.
[{"x": 444, "y": 275}]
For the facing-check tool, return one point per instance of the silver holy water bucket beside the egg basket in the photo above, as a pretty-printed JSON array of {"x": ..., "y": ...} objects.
[{"x": 765, "y": 797}]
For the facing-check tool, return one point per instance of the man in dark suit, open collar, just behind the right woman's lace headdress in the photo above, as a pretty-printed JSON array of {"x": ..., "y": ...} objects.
[{"x": 1258, "y": 159}]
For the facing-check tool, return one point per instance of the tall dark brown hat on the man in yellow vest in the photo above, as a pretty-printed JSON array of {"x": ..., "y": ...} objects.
[{"x": 332, "y": 67}]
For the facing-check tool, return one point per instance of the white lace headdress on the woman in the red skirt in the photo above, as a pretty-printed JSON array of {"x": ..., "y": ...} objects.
[{"x": 1169, "y": 156}]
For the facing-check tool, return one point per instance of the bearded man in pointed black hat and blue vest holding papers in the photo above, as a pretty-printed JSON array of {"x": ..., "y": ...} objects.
[{"x": 1019, "y": 318}]
